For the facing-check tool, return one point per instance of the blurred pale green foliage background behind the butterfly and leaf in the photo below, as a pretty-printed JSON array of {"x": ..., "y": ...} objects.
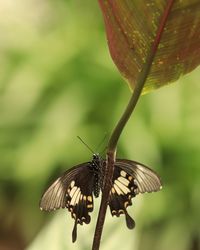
[{"x": 57, "y": 81}]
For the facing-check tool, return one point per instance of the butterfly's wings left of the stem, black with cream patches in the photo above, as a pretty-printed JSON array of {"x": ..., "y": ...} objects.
[{"x": 72, "y": 190}]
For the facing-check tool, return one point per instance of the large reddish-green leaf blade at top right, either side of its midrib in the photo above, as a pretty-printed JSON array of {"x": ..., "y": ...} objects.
[{"x": 131, "y": 27}]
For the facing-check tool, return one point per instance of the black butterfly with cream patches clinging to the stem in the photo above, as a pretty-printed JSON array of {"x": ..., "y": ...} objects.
[{"x": 74, "y": 189}]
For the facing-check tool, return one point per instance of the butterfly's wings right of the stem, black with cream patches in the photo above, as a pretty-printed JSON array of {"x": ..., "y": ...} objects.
[{"x": 129, "y": 179}]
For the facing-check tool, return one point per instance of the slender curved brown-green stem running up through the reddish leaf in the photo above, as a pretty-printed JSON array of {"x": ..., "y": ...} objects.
[{"x": 112, "y": 144}]
